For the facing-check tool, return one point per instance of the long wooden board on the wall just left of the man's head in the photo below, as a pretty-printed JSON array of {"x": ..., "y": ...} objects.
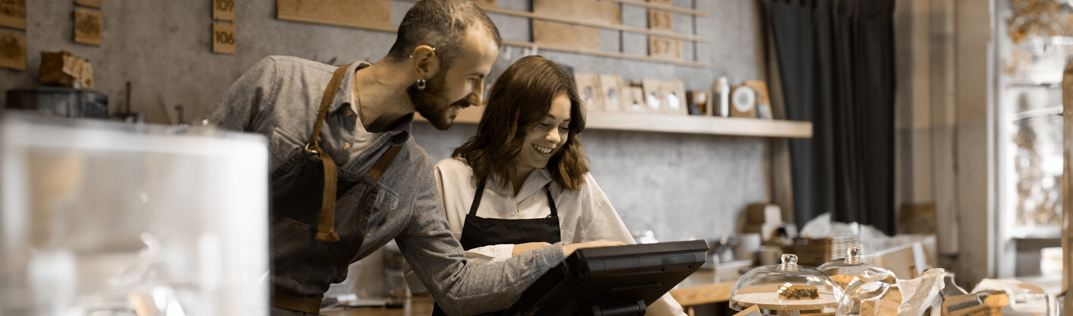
[{"x": 370, "y": 14}]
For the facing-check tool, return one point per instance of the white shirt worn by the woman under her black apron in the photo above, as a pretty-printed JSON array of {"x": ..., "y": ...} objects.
[{"x": 584, "y": 215}]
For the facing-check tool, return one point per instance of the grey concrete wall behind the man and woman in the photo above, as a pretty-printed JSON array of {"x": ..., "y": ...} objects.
[{"x": 679, "y": 186}]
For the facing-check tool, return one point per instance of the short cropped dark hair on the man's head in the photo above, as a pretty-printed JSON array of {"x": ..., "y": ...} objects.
[{"x": 442, "y": 24}]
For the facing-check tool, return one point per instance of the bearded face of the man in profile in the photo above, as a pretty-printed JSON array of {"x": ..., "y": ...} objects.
[{"x": 461, "y": 86}]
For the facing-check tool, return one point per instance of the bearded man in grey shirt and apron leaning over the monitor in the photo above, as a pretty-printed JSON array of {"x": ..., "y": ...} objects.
[{"x": 361, "y": 180}]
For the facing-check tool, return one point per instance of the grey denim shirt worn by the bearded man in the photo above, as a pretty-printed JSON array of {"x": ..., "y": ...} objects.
[{"x": 281, "y": 97}]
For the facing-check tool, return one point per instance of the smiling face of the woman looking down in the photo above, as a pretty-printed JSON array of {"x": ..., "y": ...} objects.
[{"x": 548, "y": 138}]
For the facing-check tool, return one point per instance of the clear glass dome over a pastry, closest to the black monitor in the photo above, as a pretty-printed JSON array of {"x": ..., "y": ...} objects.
[{"x": 787, "y": 288}]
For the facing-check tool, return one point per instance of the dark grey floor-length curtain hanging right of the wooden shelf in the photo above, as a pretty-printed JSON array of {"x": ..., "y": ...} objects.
[{"x": 836, "y": 66}]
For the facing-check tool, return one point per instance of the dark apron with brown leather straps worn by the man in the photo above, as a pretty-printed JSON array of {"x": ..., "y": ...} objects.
[{"x": 310, "y": 251}]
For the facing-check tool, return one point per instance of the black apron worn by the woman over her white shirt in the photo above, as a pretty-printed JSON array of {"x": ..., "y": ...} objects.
[{"x": 480, "y": 232}]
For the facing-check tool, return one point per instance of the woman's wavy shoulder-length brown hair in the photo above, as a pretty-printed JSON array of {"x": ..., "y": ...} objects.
[{"x": 519, "y": 101}]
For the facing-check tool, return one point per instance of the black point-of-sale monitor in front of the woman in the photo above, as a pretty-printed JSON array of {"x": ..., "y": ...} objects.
[{"x": 612, "y": 281}]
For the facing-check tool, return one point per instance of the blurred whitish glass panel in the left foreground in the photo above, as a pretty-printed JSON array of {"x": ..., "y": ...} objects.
[{"x": 100, "y": 218}]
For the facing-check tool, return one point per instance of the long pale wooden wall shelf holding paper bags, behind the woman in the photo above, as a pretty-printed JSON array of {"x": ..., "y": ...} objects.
[{"x": 671, "y": 124}]
